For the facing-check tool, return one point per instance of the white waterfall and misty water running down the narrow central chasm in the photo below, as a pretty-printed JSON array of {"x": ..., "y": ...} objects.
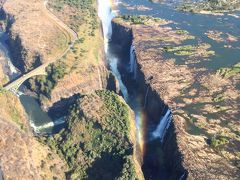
[{"x": 150, "y": 136}]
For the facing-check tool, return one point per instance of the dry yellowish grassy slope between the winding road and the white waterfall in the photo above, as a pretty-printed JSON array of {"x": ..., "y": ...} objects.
[{"x": 85, "y": 71}]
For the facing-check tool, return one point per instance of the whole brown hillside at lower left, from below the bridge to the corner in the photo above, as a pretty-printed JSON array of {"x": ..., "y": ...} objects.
[{"x": 21, "y": 155}]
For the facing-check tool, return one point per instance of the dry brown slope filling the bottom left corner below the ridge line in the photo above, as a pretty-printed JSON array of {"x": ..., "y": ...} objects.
[{"x": 22, "y": 157}]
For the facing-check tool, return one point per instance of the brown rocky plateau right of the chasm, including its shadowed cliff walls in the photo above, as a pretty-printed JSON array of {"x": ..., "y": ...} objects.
[{"x": 165, "y": 82}]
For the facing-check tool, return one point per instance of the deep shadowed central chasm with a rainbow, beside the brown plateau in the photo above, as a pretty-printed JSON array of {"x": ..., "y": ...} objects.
[{"x": 148, "y": 108}]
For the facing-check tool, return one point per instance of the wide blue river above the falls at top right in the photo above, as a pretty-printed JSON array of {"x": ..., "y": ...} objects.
[{"x": 196, "y": 25}]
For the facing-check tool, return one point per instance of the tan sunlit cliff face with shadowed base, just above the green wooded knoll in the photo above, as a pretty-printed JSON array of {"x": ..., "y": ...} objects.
[{"x": 94, "y": 78}]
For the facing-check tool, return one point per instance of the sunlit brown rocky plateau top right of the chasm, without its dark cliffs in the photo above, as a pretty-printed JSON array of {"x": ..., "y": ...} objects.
[{"x": 205, "y": 105}]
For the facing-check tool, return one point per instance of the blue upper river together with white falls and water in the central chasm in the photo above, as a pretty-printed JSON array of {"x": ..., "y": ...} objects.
[{"x": 150, "y": 135}]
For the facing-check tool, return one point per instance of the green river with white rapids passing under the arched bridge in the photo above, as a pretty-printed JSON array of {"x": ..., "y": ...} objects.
[{"x": 39, "y": 120}]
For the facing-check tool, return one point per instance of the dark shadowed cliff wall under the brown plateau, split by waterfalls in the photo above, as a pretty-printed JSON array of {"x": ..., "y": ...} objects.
[{"x": 154, "y": 105}]
